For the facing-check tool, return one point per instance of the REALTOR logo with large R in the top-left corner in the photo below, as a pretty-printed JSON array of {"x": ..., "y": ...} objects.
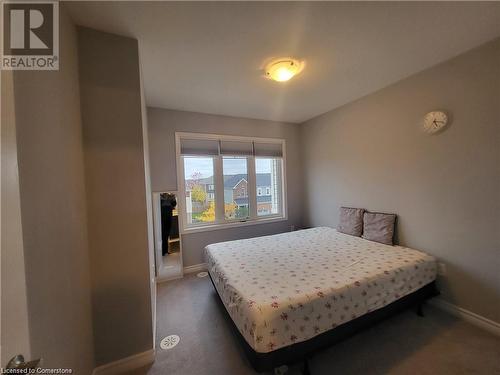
[{"x": 30, "y": 36}]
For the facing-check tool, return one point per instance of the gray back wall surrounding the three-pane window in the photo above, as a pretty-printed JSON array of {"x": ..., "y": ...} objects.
[{"x": 164, "y": 123}]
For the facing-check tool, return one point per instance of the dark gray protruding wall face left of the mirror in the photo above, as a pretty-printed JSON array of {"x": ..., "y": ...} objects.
[{"x": 116, "y": 194}]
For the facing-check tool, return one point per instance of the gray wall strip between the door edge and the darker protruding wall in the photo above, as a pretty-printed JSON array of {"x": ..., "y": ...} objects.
[{"x": 51, "y": 175}]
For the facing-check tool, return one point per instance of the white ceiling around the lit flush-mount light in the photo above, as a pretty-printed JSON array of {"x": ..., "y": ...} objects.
[{"x": 207, "y": 57}]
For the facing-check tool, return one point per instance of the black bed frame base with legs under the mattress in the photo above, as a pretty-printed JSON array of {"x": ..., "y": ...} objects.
[{"x": 302, "y": 351}]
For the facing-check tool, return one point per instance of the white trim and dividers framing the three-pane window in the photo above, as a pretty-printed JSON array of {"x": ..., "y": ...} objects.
[{"x": 220, "y": 222}]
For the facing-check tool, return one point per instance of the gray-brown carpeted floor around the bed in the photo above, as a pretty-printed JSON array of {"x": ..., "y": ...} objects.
[{"x": 437, "y": 344}]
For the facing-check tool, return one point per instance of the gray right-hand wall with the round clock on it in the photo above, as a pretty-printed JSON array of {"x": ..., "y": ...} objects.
[{"x": 445, "y": 188}]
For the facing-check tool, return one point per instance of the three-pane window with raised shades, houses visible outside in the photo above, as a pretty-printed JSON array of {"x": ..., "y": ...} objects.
[{"x": 229, "y": 180}]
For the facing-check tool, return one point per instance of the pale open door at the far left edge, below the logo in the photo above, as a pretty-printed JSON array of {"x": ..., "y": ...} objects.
[{"x": 15, "y": 337}]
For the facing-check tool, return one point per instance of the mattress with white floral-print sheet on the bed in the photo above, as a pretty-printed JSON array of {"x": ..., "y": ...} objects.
[{"x": 290, "y": 287}]
